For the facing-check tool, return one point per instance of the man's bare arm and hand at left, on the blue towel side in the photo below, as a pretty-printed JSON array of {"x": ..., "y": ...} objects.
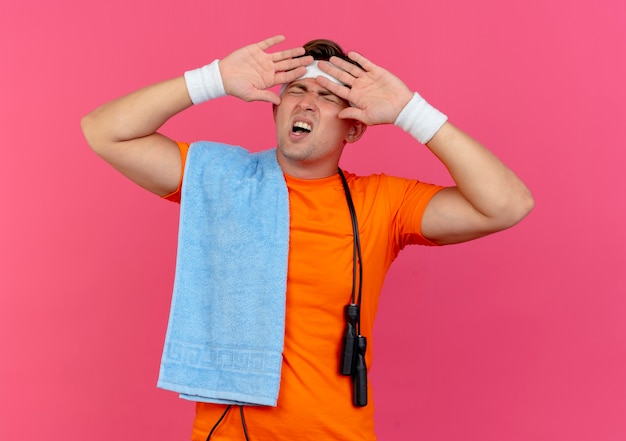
[{"x": 124, "y": 132}]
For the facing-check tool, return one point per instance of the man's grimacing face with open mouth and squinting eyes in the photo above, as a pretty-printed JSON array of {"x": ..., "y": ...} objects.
[{"x": 310, "y": 135}]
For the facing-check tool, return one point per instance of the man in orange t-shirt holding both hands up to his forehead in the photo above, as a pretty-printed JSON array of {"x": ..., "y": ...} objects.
[{"x": 322, "y": 106}]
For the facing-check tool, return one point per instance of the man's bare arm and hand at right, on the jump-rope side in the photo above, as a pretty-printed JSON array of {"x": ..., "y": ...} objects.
[{"x": 487, "y": 198}]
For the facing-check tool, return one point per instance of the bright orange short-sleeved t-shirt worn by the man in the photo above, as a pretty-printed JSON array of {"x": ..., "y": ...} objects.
[{"x": 315, "y": 401}]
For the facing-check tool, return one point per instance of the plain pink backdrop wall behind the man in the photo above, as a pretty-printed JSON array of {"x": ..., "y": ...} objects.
[{"x": 520, "y": 336}]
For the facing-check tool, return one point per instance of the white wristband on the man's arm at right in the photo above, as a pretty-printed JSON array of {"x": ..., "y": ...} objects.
[{"x": 420, "y": 119}]
